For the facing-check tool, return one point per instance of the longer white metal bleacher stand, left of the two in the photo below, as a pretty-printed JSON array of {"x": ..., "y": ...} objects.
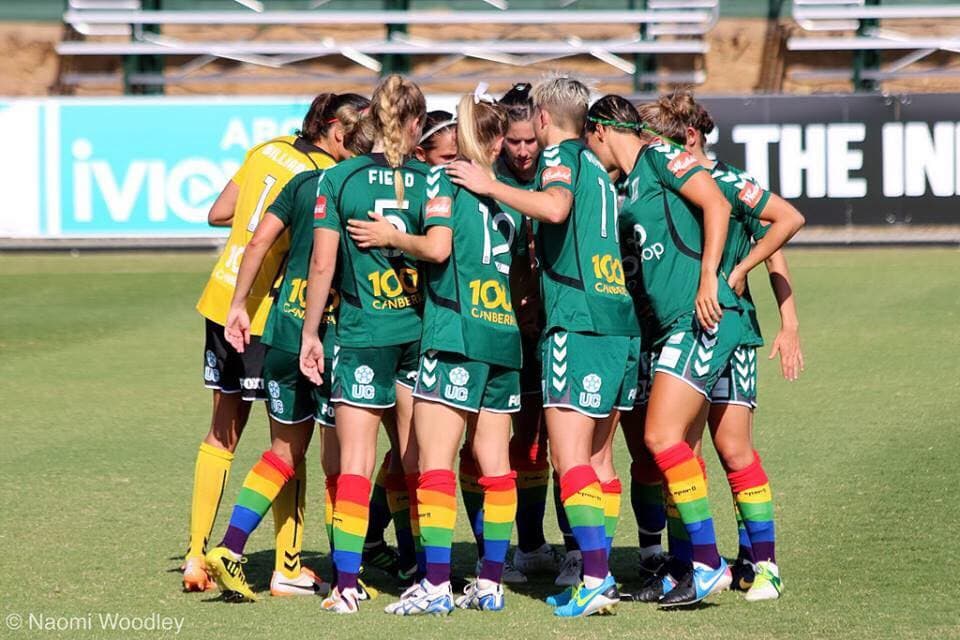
[{"x": 629, "y": 40}]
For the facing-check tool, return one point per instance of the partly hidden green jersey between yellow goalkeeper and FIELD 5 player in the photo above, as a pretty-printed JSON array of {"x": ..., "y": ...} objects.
[{"x": 294, "y": 208}]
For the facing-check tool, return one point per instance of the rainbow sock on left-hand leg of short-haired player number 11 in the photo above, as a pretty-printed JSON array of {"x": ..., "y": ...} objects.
[{"x": 583, "y": 503}]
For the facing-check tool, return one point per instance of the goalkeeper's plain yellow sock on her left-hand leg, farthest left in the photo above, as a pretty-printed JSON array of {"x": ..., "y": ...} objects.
[{"x": 209, "y": 479}]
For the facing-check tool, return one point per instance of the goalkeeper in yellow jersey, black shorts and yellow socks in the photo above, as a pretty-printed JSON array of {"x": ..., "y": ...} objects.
[{"x": 236, "y": 379}]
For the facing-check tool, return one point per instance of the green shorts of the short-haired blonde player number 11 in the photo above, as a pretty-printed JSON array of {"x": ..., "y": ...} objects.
[{"x": 590, "y": 374}]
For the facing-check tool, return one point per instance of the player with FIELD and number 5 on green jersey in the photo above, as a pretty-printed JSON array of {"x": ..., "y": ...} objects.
[{"x": 378, "y": 330}]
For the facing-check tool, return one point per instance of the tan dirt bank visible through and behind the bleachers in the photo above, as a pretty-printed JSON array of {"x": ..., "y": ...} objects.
[{"x": 29, "y": 65}]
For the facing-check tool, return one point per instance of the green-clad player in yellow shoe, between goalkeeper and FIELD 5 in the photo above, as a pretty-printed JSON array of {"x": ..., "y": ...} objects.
[{"x": 294, "y": 403}]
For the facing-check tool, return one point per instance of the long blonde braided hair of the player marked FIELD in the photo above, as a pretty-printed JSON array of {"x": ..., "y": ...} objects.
[{"x": 395, "y": 102}]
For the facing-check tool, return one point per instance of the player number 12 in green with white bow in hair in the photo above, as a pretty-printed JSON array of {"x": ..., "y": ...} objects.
[{"x": 469, "y": 375}]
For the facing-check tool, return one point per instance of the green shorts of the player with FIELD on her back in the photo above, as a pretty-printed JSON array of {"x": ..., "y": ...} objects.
[{"x": 368, "y": 376}]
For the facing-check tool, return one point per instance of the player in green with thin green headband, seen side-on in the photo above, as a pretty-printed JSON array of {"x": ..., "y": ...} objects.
[{"x": 675, "y": 219}]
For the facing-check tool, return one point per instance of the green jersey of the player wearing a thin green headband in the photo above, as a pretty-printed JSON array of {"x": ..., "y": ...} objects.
[{"x": 663, "y": 233}]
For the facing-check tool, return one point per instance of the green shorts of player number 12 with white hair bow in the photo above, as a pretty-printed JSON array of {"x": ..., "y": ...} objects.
[{"x": 470, "y": 385}]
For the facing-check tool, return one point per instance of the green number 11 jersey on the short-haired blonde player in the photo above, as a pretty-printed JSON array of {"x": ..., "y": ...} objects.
[{"x": 582, "y": 274}]
